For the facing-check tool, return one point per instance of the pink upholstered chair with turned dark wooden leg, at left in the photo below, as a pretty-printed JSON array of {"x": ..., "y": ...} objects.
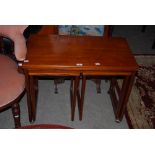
[{"x": 12, "y": 83}]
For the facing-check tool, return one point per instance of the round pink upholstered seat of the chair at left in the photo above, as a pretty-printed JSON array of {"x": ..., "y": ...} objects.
[{"x": 12, "y": 83}]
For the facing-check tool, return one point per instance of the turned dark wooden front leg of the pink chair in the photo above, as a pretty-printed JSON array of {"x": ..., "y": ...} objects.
[{"x": 16, "y": 115}]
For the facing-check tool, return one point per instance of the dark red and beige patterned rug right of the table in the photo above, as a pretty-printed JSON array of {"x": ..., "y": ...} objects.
[{"x": 140, "y": 111}]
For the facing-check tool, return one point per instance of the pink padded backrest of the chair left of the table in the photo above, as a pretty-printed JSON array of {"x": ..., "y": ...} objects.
[{"x": 15, "y": 33}]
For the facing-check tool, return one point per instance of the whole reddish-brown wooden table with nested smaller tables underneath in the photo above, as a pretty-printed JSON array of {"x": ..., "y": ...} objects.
[{"x": 79, "y": 57}]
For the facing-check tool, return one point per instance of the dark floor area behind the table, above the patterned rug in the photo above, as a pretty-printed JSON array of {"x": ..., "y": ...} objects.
[{"x": 139, "y": 42}]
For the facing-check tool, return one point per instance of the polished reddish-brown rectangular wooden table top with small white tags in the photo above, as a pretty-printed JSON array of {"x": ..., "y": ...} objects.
[{"x": 79, "y": 53}]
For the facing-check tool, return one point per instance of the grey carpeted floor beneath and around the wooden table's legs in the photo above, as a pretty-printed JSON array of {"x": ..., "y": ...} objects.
[{"x": 55, "y": 108}]
